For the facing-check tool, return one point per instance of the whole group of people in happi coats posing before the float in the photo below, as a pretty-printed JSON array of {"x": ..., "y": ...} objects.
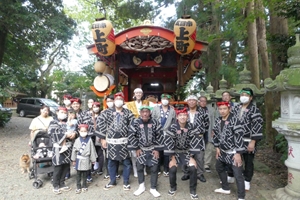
[{"x": 141, "y": 135}]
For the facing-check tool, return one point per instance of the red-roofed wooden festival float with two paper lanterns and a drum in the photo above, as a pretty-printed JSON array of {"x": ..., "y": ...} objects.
[{"x": 153, "y": 58}]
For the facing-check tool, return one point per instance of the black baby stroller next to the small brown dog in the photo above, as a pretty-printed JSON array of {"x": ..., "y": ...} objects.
[{"x": 41, "y": 154}]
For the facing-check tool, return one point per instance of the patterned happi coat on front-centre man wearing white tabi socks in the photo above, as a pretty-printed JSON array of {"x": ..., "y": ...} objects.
[{"x": 147, "y": 136}]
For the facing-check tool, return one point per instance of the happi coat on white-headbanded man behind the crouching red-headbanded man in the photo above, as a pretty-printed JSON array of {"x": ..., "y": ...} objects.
[{"x": 200, "y": 122}]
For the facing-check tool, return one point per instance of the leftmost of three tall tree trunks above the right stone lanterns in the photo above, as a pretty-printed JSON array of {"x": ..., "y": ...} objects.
[{"x": 252, "y": 46}]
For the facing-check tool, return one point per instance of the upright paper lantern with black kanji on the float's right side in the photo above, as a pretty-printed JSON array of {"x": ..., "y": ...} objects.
[{"x": 185, "y": 35}]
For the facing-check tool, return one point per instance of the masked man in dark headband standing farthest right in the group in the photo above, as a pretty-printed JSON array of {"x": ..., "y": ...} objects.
[{"x": 252, "y": 122}]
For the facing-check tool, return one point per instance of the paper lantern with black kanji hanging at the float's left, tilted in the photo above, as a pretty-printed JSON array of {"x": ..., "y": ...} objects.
[{"x": 104, "y": 37}]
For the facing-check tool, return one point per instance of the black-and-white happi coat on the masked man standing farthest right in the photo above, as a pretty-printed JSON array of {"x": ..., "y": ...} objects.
[{"x": 251, "y": 121}]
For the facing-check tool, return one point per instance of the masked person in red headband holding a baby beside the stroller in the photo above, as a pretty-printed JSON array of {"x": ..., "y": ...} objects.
[{"x": 61, "y": 161}]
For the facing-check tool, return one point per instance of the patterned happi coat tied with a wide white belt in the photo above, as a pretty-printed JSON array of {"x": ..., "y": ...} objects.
[{"x": 114, "y": 125}]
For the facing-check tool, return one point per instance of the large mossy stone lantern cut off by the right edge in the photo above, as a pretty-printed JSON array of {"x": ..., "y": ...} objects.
[{"x": 288, "y": 83}]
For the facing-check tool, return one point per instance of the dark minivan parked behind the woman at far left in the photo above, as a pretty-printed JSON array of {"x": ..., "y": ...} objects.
[{"x": 32, "y": 106}]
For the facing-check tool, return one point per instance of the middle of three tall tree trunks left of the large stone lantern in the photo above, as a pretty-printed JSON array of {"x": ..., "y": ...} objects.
[{"x": 264, "y": 58}]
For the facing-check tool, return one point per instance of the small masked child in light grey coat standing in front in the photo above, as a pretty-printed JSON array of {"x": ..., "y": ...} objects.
[{"x": 83, "y": 154}]
